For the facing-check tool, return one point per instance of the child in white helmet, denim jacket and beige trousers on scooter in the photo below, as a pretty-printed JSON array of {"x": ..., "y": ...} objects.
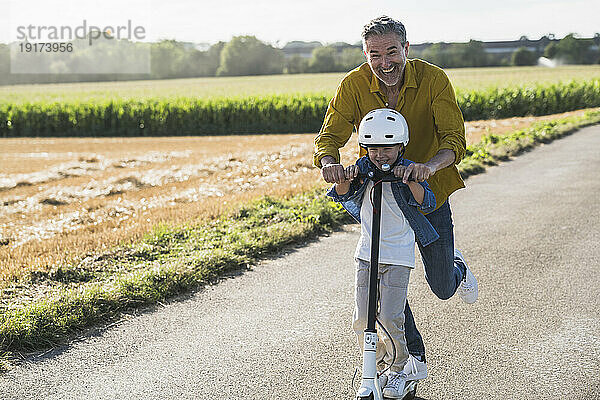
[{"x": 384, "y": 133}]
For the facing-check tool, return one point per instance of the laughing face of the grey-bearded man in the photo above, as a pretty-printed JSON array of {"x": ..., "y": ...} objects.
[{"x": 386, "y": 57}]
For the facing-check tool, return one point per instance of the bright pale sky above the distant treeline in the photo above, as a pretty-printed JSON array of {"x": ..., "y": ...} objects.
[{"x": 278, "y": 22}]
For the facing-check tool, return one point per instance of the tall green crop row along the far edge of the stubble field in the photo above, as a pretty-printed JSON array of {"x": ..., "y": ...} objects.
[{"x": 275, "y": 114}]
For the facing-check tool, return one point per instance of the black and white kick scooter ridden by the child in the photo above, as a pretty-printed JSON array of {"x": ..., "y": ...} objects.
[{"x": 370, "y": 388}]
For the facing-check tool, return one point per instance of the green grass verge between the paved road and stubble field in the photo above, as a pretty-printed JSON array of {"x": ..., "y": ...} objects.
[{"x": 173, "y": 260}]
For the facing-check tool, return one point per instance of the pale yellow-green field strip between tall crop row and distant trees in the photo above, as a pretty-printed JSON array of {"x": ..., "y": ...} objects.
[{"x": 464, "y": 79}]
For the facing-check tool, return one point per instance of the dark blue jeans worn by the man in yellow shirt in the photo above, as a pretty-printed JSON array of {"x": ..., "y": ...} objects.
[{"x": 441, "y": 273}]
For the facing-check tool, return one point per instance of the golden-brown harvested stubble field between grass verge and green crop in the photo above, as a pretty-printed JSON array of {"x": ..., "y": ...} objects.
[{"x": 62, "y": 198}]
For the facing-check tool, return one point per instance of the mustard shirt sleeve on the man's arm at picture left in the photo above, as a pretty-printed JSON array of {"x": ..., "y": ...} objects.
[{"x": 338, "y": 125}]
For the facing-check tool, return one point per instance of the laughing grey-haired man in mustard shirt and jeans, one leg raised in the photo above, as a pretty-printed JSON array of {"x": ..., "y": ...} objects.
[{"x": 423, "y": 94}]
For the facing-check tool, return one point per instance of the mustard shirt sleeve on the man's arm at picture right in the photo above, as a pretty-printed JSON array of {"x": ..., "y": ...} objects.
[{"x": 449, "y": 123}]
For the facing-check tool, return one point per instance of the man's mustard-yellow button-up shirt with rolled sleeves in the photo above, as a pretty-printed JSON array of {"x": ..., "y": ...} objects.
[{"x": 427, "y": 102}]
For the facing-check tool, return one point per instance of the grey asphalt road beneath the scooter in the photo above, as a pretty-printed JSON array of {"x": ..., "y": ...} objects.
[{"x": 530, "y": 231}]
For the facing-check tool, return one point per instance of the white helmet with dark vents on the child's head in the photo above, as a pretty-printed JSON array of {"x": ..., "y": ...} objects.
[{"x": 382, "y": 127}]
